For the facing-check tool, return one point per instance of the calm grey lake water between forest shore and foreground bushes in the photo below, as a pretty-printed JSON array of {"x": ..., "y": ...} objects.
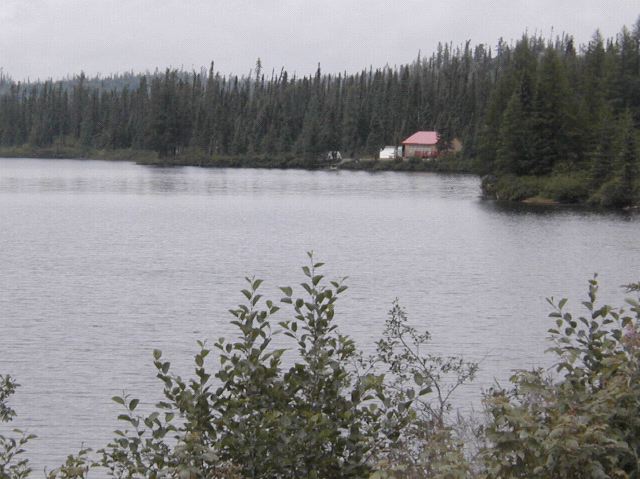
[{"x": 102, "y": 262}]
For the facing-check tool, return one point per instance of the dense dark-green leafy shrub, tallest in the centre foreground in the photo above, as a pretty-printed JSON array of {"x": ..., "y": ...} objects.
[{"x": 318, "y": 418}]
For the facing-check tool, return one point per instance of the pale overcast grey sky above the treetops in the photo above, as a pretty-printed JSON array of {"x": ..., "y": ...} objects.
[{"x": 55, "y": 38}]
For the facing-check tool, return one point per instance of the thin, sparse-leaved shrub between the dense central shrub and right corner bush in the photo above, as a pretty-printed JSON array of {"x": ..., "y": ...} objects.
[{"x": 428, "y": 446}]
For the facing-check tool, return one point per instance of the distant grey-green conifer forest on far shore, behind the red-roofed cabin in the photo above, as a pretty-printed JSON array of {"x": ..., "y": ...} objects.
[{"x": 174, "y": 111}]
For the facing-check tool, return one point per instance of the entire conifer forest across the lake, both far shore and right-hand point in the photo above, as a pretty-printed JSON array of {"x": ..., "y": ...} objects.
[{"x": 545, "y": 117}]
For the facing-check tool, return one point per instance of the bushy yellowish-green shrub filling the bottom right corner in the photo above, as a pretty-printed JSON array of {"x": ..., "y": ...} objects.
[{"x": 586, "y": 422}]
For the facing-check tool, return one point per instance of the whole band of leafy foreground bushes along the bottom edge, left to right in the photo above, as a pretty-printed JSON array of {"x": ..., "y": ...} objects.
[{"x": 335, "y": 413}]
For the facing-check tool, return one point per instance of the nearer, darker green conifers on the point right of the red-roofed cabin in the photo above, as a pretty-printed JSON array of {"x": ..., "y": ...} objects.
[{"x": 565, "y": 125}]
